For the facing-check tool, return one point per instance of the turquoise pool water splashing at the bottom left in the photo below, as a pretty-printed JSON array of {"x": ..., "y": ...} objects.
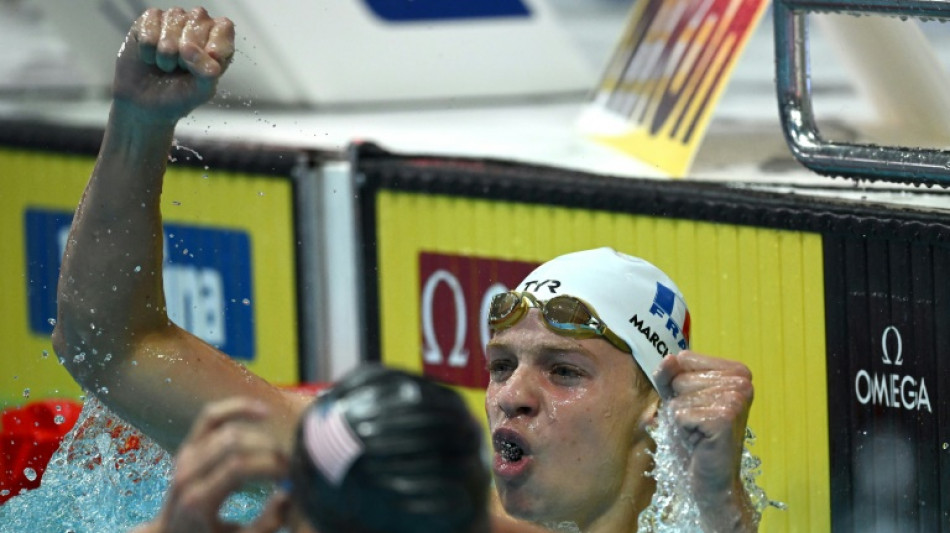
[{"x": 94, "y": 485}]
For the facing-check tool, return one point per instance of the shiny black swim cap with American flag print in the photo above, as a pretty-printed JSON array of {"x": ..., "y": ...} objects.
[{"x": 385, "y": 451}]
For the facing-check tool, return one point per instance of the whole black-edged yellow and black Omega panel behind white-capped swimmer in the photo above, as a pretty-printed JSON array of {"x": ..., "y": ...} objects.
[{"x": 760, "y": 272}]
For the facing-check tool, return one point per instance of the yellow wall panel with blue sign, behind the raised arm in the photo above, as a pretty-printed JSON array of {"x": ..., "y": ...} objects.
[{"x": 230, "y": 271}]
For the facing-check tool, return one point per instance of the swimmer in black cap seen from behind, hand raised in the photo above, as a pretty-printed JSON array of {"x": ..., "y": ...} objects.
[{"x": 404, "y": 457}]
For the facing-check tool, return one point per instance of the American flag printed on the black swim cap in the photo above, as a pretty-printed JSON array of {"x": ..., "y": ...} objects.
[{"x": 331, "y": 442}]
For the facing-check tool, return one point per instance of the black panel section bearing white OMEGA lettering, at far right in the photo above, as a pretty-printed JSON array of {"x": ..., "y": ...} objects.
[{"x": 887, "y": 311}]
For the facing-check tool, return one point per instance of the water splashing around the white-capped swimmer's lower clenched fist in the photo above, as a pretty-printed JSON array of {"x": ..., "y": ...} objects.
[{"x": 673, "y": 509}]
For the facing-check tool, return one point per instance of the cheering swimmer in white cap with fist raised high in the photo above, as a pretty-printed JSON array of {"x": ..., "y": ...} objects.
[{"x": 569, "y": 399}]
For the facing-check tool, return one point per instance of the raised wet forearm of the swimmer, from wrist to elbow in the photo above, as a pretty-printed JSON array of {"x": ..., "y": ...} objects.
[{"x": 110, "y": 287}]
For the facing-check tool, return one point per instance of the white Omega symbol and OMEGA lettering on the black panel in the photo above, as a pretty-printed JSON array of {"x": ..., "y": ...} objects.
[{"x": 892, "y": 389}]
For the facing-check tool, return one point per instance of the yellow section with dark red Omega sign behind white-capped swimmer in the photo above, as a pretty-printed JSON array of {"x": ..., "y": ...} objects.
[{"x": 754, "y": 294}]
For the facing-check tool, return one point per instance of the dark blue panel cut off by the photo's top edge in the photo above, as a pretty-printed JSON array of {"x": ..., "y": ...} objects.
[{"x": 429, "y": 10}]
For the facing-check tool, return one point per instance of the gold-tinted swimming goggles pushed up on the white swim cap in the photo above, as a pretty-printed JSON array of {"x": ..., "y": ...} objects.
[{"x": 565, "y": 315}]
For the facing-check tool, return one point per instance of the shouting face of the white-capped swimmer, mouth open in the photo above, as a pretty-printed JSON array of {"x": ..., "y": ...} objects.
[{"x": 567, "y": 418}]
